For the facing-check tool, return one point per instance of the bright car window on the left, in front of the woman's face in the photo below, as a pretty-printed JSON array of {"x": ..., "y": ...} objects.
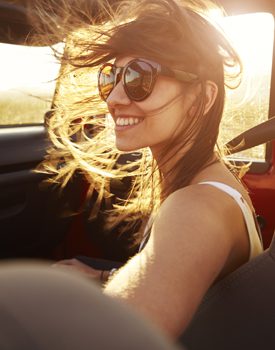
[{"x": 28, "y": 75}]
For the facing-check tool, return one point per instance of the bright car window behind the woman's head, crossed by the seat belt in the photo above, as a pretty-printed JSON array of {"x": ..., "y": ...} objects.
[{"x": 252, "y": 35}]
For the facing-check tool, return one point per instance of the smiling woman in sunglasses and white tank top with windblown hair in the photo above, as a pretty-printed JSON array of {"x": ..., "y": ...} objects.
[{"x": 163, "y": 67}]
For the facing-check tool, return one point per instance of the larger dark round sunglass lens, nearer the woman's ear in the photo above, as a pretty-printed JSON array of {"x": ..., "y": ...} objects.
[{"x": 138, "y": 80}]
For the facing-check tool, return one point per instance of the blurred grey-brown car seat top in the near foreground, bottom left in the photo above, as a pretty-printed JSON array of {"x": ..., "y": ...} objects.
[{"x": 46, "y": 308}]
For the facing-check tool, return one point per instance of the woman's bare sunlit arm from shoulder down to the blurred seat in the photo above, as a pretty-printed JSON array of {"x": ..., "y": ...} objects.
[{"x": 194, "y": 237}]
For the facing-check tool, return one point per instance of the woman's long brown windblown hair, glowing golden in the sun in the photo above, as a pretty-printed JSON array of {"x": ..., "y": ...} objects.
[{"x": 177, "y": 34}]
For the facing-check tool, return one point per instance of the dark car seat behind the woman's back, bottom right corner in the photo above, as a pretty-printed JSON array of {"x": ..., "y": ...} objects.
[{"x": 239, "y": 311}]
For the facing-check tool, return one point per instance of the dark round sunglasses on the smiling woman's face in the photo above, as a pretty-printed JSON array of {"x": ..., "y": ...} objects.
[{"x": 138, "y": 78}]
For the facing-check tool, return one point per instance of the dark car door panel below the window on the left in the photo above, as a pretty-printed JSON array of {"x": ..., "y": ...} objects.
[{"x": 30, "y": 214}]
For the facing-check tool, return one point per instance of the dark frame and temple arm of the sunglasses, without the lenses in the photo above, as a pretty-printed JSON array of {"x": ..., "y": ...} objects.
[{"x": 156, "y": 70}]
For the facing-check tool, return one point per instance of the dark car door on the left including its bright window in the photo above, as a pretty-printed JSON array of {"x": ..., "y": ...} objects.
[{"x": 31, "y": 222}]
